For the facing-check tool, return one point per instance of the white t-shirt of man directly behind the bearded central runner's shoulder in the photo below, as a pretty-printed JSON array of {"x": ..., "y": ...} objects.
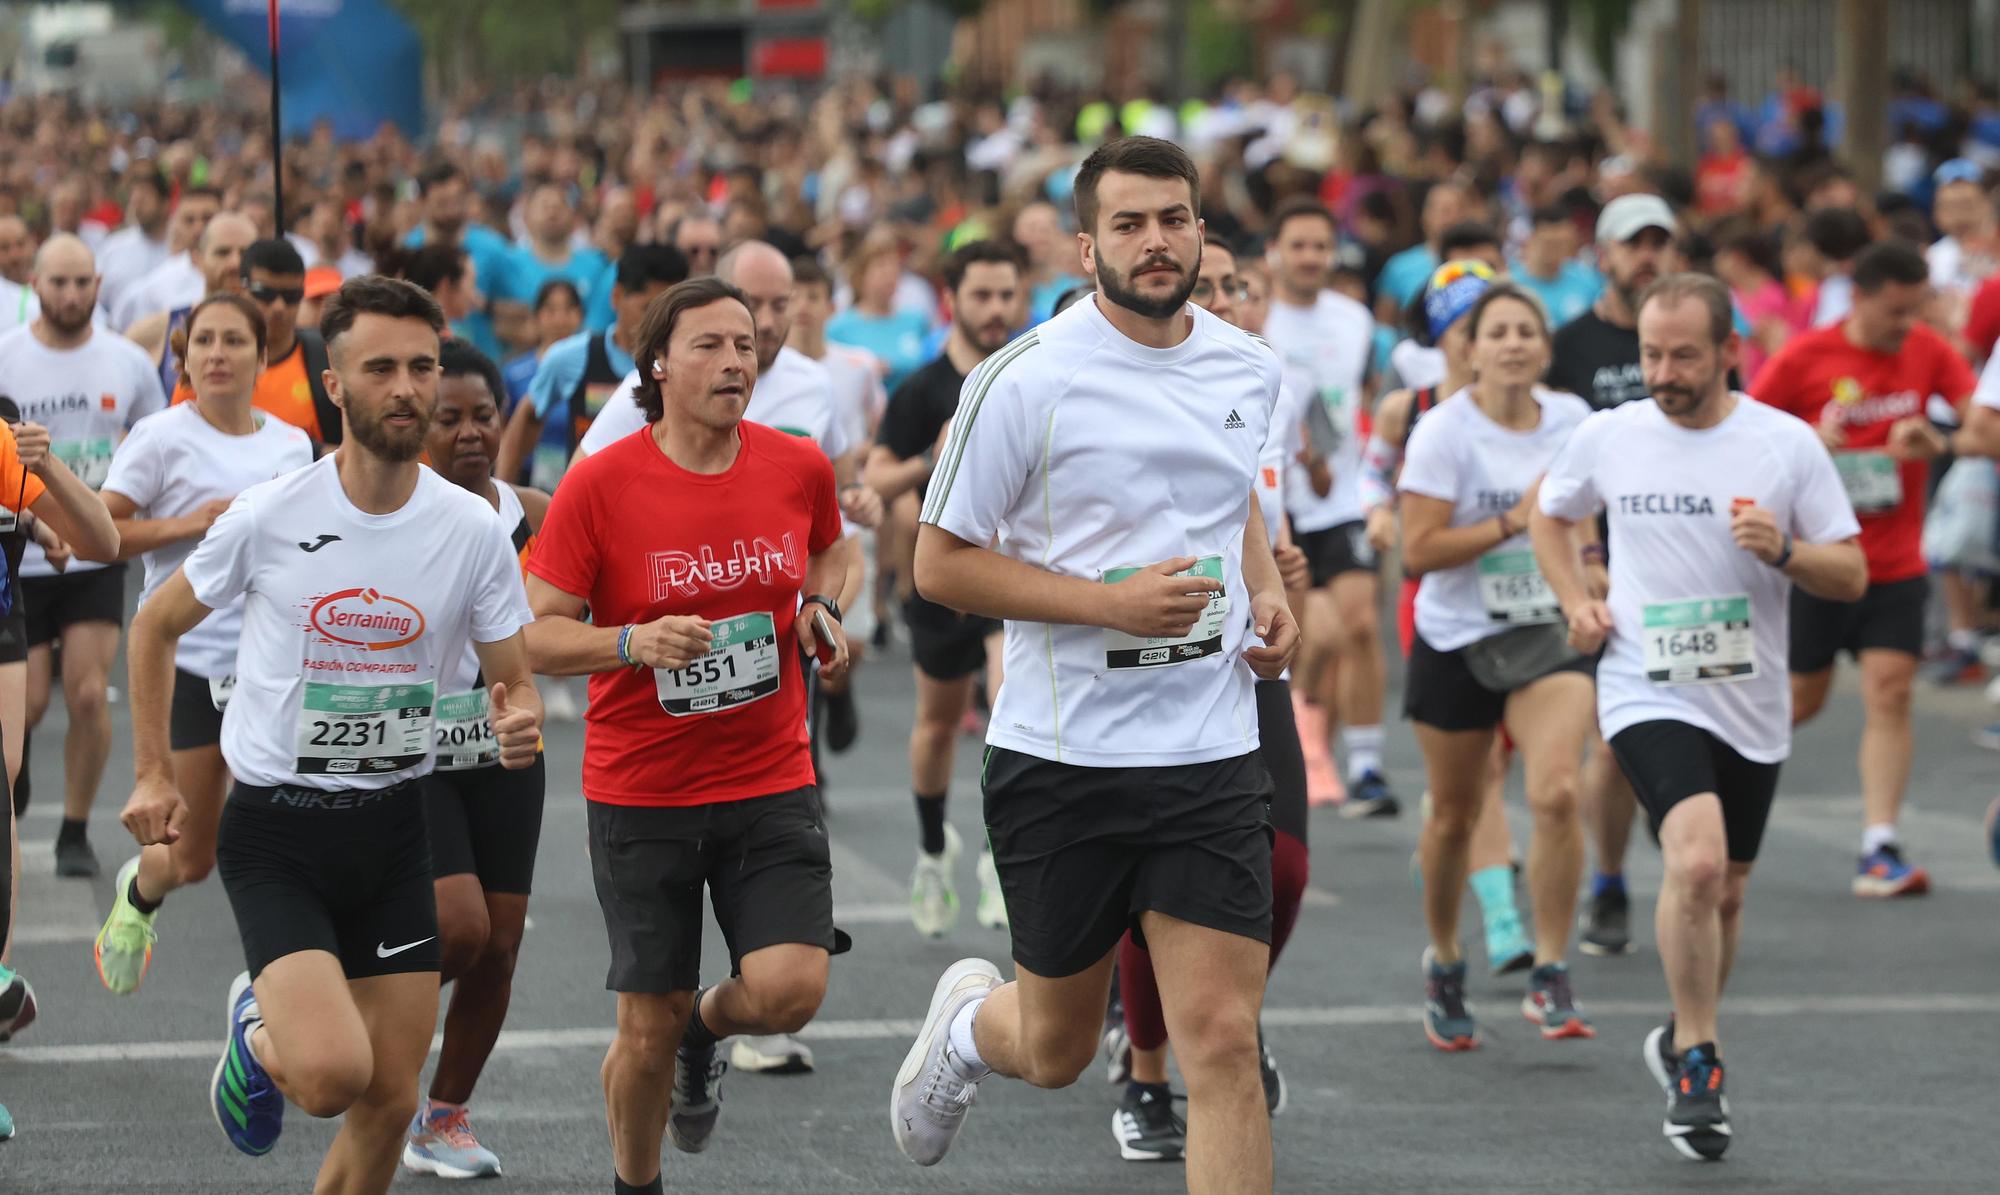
[{"x": 1325, "y": 351}]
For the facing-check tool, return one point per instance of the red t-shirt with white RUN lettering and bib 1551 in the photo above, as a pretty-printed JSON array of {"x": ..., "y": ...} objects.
[{"x": 639, "y": 539}]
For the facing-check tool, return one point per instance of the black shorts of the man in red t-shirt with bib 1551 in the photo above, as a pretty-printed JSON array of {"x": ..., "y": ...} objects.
[{"x": 765, "y": 862}]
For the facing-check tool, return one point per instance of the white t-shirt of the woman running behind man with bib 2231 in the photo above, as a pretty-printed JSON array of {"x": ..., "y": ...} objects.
[{"x": 175, "y": 463}]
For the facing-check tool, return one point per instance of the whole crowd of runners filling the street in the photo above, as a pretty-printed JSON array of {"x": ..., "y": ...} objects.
[{"x": 1129, "y": 481}]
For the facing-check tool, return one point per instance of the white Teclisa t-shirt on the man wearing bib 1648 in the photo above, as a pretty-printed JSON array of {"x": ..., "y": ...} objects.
[{"x": 1667, "y": 493}]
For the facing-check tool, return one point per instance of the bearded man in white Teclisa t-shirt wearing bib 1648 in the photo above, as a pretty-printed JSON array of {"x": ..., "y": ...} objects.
[{"x": 1717, "y": 507}]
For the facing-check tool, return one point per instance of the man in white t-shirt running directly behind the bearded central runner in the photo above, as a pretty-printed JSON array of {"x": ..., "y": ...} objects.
[{"x": 1325, "y": 339}]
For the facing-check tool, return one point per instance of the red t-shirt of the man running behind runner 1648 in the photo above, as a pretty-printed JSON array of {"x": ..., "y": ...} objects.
[{"x": 1875, "y": 393}]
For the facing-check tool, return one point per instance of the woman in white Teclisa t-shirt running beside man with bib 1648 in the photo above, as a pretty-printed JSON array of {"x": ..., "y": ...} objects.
[{"x": 1467, "y": 485}]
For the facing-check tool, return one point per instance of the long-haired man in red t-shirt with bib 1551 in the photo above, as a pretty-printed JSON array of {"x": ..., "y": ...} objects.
[{"x": 691, "y": 545}]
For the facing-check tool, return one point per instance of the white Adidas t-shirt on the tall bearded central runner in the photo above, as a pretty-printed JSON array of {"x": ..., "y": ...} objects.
[{"x": 1083, "y": 453}]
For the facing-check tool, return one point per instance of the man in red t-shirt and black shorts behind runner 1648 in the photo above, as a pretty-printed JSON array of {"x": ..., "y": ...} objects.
[{"x": 1867, "y": 385}]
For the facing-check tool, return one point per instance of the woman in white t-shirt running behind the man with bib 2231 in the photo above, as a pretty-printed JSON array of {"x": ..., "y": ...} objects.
[{"x": 169, "y": 481}]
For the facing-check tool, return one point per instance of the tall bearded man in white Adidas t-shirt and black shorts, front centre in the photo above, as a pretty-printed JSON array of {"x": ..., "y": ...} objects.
[{"x": 1113, "y": 455}]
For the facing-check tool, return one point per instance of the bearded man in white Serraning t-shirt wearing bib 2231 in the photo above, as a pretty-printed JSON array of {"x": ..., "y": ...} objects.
[{"x": 363, "y": 581}]
